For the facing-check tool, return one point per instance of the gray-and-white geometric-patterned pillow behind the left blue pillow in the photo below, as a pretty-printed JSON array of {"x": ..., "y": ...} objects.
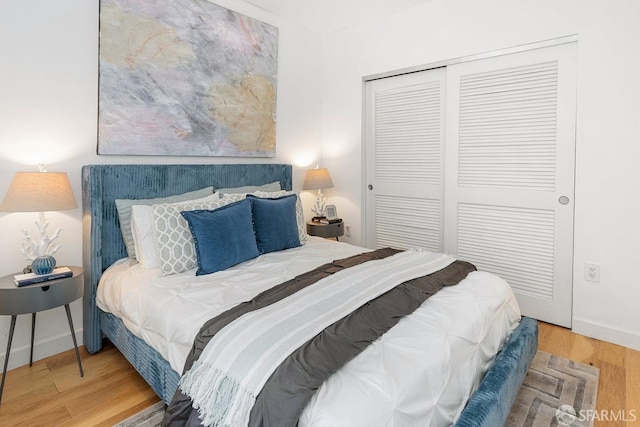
[{"x": 176, "y": 249}]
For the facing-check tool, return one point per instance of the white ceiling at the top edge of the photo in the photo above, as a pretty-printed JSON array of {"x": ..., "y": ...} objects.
[{"x": 325, "y": 16}]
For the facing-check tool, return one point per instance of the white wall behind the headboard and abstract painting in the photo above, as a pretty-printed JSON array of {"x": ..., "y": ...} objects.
[{"x": 48, "y": 114}]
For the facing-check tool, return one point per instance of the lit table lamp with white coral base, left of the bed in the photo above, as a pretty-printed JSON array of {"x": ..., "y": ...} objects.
[{"x": 39, "y": 192}]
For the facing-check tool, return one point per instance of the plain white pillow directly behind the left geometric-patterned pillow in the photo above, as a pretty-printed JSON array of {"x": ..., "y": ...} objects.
[{"x": 144, "y": 233}]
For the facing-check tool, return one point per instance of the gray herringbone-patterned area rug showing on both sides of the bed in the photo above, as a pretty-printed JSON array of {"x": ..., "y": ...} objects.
[{"x": 555, "y": 392}]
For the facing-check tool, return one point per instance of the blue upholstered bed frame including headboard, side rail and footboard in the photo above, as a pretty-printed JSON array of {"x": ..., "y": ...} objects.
[{"x": 103, "y": 245}]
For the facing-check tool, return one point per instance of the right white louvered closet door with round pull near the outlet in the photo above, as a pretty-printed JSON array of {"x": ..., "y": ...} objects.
[{"x": 510, "y": 173}]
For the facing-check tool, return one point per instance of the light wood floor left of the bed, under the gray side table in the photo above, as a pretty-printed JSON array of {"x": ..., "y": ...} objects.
[{"x": 51, "y": 392}]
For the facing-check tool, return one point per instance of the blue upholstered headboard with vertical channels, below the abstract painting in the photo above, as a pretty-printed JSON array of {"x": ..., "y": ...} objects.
[{"x": 103, "y": 184}]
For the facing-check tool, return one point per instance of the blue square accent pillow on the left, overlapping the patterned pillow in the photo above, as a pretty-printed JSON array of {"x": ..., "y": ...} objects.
[{"x": 223, "y": 237}]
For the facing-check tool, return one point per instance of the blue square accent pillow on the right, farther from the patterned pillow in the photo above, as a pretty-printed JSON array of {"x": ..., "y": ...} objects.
[{"x": 274, "y": 222}]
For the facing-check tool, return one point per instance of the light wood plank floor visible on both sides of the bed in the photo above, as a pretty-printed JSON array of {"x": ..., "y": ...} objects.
[{"x": 51, "y": 392}]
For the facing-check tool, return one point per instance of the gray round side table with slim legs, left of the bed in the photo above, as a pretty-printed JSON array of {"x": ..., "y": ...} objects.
[{"x": 39, "y": 297}]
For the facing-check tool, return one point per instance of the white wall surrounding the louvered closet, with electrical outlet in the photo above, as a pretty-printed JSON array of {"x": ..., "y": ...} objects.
[{"x": 607, "y": 201}]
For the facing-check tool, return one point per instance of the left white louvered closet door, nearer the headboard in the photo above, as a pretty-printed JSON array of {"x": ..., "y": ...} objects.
[{"x": 404, "y": 169}]
